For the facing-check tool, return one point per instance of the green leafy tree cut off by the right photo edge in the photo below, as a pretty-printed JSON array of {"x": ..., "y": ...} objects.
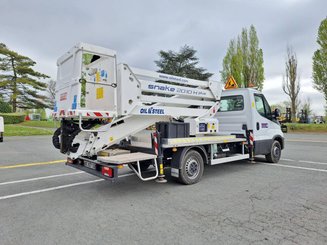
[{"x": 320, "y": 61}]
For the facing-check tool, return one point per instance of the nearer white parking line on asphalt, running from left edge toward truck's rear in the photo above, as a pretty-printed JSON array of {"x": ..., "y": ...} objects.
[{"x": 58, "y": 187}]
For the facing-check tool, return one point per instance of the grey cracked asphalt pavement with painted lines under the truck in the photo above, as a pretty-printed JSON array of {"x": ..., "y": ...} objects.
[{"x": 42, "y": 201}]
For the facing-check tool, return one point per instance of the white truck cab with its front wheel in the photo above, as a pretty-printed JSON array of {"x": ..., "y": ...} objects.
[{"x": 248, "y": 108}]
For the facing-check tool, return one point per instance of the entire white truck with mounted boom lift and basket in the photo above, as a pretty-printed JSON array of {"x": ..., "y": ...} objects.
[{"x": 115, "y": 115}]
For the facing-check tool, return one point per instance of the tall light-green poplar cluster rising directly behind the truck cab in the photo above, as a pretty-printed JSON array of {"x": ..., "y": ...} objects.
[{"x": 244, "y": 60}]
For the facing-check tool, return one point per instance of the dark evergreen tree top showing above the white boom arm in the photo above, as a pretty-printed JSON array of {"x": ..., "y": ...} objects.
[{"x": 183, "y": 63}]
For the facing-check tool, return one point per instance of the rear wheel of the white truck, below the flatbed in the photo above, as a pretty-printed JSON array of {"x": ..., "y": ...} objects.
[{"x": 191, "y": 168}]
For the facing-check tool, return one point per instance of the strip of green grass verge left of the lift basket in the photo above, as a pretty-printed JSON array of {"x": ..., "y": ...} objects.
[{"x": 17, "y": 130}]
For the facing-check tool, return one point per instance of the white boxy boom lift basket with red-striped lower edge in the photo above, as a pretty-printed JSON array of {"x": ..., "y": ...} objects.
[{"x": 86, "y": 83}]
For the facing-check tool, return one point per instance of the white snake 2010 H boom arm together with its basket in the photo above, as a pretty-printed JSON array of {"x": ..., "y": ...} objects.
[{"x": 91, "y": 86}]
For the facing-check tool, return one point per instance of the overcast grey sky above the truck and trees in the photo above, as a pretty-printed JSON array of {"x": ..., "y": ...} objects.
[{"x": 137, "y": 30}]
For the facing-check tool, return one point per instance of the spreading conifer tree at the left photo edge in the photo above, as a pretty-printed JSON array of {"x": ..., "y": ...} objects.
[{"x": 19, "y": 82}]
